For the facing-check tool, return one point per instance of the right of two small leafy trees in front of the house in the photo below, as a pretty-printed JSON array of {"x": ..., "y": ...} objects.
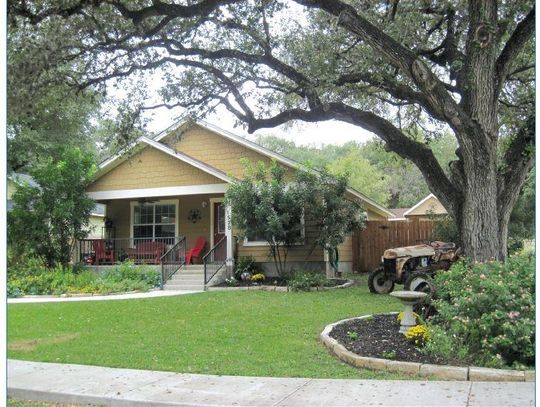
[{"x": 334, "y": 215}]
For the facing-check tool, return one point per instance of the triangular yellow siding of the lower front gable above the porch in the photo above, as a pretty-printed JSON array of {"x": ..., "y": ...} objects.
[{"x": 151, "y": 168}]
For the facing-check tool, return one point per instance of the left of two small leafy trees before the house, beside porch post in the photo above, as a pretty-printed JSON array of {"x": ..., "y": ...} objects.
[{"x": 266, "y": 207}]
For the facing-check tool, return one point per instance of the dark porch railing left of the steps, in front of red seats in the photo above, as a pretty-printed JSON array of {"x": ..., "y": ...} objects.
[{"x": 110, "y": 251}]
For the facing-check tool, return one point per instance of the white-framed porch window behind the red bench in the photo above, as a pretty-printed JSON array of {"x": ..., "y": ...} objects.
[{"x": 154, "y": 221}]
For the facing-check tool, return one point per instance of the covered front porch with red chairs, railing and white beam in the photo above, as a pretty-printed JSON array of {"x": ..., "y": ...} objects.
[{"x": 163, "y": 226}]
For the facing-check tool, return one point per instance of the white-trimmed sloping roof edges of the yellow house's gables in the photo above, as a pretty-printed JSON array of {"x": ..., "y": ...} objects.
[{"x": 117, "y": 159}]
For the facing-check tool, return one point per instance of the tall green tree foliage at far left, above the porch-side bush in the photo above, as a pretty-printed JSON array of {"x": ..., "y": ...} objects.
[{"x": 44, "y": 112}]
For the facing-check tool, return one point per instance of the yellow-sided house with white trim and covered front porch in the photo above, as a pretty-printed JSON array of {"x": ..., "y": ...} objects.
[{"x": 172, "y": 187}]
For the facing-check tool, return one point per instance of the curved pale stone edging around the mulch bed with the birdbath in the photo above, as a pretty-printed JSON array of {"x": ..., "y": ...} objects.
[{"x": 470, "y": 373}]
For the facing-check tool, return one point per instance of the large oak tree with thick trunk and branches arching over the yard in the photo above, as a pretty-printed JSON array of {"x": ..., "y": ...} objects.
[{"x": 387, "y": 66}]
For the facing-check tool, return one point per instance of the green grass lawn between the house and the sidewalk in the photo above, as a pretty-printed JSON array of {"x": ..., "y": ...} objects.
[{"x": 252, "y": 333}]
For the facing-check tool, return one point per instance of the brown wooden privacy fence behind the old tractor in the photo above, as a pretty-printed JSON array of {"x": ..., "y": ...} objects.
[{"x": 369, "y": 244}]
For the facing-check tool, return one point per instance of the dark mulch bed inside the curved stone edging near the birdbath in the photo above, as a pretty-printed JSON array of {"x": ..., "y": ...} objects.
[{"x": 379, "y": 337}]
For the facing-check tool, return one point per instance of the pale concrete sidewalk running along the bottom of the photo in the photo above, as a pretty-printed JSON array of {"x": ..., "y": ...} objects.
[{"x": 127, "y": 387}]
